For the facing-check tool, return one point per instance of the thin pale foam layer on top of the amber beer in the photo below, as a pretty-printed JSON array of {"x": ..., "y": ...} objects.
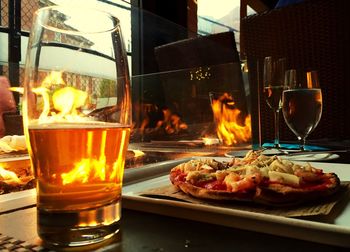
[{"x": 75, "y": 125}]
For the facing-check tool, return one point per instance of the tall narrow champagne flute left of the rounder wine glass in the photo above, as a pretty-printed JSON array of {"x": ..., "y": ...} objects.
[{"x": 274, "y": 69}]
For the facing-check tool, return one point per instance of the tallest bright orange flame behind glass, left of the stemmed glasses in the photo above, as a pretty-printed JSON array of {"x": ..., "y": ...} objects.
[{"x": 228, "y": 127}]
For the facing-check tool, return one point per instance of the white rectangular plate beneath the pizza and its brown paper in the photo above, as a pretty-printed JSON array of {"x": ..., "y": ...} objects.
[{"x": 336, "y": 232}]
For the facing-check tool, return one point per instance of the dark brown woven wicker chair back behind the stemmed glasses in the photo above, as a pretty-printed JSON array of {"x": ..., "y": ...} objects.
[{"x": 313, "y": 34}]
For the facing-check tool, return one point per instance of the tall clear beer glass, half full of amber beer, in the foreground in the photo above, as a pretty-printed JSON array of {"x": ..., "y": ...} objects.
[{"x": 77, "y": 117}]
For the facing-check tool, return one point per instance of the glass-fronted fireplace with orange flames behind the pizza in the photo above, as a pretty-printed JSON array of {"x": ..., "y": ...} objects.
[{"x": 191, "y": 108}]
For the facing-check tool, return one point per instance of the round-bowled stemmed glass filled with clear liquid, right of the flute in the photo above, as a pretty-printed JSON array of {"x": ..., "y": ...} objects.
[{"x": 302, "y": 103}]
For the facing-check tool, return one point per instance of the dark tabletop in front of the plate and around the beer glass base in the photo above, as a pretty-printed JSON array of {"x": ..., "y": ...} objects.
[{"x": 142, "y": 231}]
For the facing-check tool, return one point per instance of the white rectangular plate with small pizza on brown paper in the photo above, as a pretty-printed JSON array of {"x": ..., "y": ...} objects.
[{"x": 255, "y": 193}]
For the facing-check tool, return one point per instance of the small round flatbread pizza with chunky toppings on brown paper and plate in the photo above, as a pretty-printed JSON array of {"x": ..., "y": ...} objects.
[{"x": 268, "y": 180}]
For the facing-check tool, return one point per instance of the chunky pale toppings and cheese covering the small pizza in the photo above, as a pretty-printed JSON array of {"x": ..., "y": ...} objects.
[{"x": 244, "y": 176}]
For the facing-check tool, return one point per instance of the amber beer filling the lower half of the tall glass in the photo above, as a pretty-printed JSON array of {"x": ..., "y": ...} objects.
[{"x": 79, "y": 170}]
